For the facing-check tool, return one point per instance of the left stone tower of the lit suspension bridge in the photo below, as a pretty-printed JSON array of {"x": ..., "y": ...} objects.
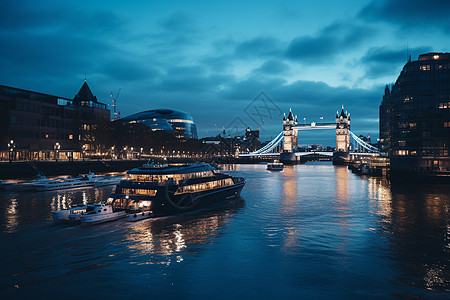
[{"x": 290, "y": 138}]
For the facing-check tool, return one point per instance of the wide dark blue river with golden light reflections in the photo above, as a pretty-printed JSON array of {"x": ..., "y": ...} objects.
[{"x": 312, "y": 231}]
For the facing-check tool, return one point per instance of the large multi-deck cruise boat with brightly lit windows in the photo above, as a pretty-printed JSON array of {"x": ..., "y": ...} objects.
[{"x": 155, "y": 190}]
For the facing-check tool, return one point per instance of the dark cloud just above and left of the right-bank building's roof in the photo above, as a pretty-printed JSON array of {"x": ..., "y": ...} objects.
[{"x": 382, "y": 61}]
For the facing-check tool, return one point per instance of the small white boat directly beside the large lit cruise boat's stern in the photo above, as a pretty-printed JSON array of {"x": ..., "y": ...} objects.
[{"x": 100, "y": 213}]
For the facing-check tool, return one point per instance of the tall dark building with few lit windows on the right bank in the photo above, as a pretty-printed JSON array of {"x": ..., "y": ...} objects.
[{"x": 415, "y": 117}]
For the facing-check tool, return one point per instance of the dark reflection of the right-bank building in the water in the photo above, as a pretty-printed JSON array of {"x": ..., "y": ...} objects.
[{"x": 420, "y": 234}]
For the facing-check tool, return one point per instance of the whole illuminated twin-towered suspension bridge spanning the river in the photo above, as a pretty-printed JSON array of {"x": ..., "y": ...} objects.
[{"x": 287, "y": 140}]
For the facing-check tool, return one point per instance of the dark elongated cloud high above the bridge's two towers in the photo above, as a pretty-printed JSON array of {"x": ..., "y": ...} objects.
[{"x": 332, "y": 41}]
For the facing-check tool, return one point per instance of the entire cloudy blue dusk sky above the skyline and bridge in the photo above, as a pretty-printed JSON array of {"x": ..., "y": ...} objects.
[{"x": 211, "y": 59}]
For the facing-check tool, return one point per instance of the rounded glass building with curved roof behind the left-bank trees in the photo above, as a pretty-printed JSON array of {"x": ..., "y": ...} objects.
[{"x": 180, "y": 123}]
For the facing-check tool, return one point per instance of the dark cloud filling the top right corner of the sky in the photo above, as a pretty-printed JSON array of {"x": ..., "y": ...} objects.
[{"x": 409, "y": 13}]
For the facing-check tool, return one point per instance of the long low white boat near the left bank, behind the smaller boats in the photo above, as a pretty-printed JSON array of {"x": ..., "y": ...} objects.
[{"x": 44, "y": 184}]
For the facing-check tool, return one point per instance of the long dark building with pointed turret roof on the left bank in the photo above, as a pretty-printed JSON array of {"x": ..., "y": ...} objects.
[{"x": 34, "y": 125}]
